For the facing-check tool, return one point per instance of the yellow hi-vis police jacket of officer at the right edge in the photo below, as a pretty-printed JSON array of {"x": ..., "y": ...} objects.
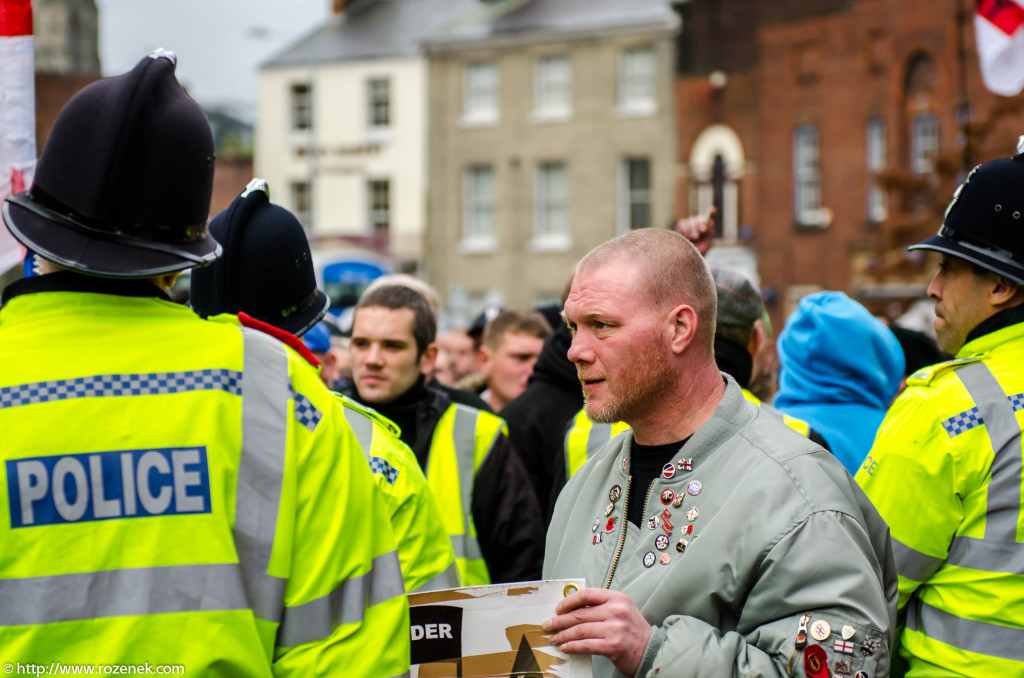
[{"x": 946, "y": 475}]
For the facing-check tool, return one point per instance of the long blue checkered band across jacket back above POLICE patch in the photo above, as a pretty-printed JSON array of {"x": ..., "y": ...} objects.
[{"x": 121, "y": 385}]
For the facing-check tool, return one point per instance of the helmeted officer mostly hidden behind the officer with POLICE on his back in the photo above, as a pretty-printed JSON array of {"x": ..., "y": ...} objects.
[{"x": 266, "y": 280}]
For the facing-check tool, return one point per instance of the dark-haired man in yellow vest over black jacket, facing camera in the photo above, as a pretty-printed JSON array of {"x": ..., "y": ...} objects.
[{"x": 488, "y": 505}]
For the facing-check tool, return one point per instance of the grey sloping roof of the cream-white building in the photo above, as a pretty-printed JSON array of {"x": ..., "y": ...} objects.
[{"x": 373, "y": 29}]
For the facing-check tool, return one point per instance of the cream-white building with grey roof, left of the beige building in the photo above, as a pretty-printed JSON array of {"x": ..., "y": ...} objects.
[{"x": 342, "y": 135}]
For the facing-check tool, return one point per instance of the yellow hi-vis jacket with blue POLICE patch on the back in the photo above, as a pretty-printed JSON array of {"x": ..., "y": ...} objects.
[{"x": 182, "y": 492}]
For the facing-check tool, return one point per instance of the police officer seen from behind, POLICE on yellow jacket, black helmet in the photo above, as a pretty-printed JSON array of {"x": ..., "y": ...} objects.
[{"x": 176, "y": 492}]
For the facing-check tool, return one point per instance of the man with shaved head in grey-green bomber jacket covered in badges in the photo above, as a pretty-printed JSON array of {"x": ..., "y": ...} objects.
[{"x": 722, "y": 538}]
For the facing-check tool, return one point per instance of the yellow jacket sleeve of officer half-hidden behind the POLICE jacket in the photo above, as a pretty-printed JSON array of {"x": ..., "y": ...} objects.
[{"x": 424, "y": 547}]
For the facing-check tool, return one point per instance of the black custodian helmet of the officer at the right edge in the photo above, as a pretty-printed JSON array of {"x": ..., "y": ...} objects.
[{"x": 985, "y": 223}]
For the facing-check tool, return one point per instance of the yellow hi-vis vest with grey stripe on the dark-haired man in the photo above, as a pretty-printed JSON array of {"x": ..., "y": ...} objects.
[{"x": 461, "y": 441}]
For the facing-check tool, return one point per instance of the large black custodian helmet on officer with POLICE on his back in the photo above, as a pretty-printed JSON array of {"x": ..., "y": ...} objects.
[{"x": 124, "y": 185}]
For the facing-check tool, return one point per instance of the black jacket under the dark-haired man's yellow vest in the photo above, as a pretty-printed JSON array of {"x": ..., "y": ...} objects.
[{"x": 506, "y": 513}]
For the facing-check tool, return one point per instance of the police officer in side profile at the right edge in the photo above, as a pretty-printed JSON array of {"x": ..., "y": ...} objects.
[{"x": 946, "y": 469}]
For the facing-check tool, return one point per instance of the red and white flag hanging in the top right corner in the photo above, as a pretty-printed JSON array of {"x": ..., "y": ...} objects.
[{"x": 999, "y": 27}]
